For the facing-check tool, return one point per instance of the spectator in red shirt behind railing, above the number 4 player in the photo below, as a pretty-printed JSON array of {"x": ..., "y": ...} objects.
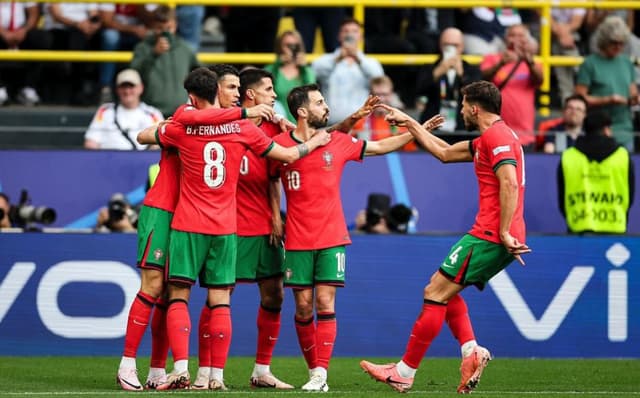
[{"x": 517, "y": 76}]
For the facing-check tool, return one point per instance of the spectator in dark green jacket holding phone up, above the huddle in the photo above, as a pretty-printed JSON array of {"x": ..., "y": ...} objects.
[{"x": 163, "y": 60}]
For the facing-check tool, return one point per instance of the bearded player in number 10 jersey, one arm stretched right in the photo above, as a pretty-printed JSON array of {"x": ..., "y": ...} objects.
[{"x": 316, "y": 232}]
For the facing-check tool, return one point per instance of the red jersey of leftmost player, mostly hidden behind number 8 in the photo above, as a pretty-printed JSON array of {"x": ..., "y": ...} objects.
[{"x": 165, "y": 191}]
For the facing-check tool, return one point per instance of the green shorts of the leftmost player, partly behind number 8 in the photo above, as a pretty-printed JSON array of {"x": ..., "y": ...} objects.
[{"x": 153, "y": 237}]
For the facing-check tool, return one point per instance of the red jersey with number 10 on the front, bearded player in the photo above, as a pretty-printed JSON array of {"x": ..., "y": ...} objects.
[{"x": 315, "y": 219}]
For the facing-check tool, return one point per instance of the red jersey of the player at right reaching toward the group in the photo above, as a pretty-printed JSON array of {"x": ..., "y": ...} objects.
[{"x": 496, "y": 146}]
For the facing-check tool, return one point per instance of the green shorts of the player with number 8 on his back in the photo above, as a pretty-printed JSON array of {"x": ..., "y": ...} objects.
[{"x": 212, "y": 258}]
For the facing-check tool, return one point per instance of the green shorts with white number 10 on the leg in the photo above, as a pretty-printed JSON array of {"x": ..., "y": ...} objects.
[{"x": 307, "y": 268}]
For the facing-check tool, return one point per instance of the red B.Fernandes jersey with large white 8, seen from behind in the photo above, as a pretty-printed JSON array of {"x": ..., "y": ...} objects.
[{"x": 210, "y": 156}]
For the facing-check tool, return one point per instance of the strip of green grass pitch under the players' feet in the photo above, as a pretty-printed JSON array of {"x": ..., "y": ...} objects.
[{"x": 438, "y": 377}]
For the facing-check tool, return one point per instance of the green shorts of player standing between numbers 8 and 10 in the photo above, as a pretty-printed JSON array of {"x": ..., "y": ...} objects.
[{"x": 257, "y": 259}]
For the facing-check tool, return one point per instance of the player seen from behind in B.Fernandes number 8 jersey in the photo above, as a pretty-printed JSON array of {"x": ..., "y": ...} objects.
[{"x": 203, "y": 229}]
